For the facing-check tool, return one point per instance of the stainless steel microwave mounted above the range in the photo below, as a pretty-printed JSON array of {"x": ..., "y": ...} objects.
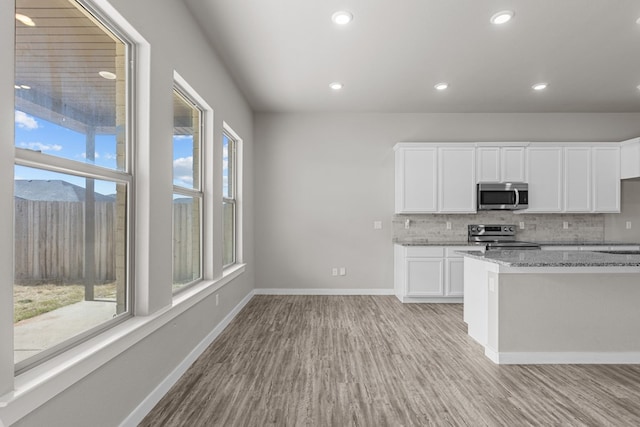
[{"x": 503, "y": 196}]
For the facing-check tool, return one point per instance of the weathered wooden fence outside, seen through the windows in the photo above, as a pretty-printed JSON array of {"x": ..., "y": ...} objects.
[{"x": 49, "y": 242}]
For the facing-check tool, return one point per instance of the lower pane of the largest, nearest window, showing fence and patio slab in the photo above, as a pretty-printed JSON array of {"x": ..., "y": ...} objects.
[{"x": 70, "y": 270}]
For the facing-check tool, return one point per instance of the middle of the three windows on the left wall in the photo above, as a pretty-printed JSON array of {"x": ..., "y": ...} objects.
[{"x": 187, "y": 191}]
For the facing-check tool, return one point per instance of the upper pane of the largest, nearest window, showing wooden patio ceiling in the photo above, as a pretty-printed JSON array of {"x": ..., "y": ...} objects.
[{"x": 63, "y": 106}]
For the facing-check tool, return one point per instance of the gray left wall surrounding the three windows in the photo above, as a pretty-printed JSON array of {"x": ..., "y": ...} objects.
[{"x": 109, "y": 394}]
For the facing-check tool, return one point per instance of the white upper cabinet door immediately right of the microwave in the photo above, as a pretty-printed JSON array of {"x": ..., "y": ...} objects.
[{"x": 544, "y": 170}]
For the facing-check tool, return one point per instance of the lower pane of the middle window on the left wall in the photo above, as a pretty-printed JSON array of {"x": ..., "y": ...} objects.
[{"x": 186, "y": 240}]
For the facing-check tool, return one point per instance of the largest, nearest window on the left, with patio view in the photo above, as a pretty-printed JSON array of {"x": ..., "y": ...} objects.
[{"x": 72, "y": 178}]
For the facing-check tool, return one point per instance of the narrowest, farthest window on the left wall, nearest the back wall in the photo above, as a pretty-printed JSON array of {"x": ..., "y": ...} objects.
[{"x": 229, "y": 197}]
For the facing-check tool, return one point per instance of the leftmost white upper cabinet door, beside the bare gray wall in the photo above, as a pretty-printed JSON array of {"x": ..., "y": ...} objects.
[{"x": 416, "y": 180}]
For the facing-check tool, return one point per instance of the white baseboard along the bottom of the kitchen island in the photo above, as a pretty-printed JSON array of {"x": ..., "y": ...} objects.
[{"x": 563, "y": 358}]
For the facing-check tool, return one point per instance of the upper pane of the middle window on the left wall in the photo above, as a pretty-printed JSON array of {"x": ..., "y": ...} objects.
[{"x": 186, "y": 143}]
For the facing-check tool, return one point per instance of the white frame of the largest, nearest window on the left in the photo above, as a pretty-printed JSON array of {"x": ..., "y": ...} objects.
[{"x": 123, "y": 175}]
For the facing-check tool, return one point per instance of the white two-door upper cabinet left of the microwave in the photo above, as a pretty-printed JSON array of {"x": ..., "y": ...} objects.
[{"x": 435, "y": 178}]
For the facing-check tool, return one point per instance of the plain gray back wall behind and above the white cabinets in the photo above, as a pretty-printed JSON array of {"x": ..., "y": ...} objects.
[{"x": 322, "y": 179}]
